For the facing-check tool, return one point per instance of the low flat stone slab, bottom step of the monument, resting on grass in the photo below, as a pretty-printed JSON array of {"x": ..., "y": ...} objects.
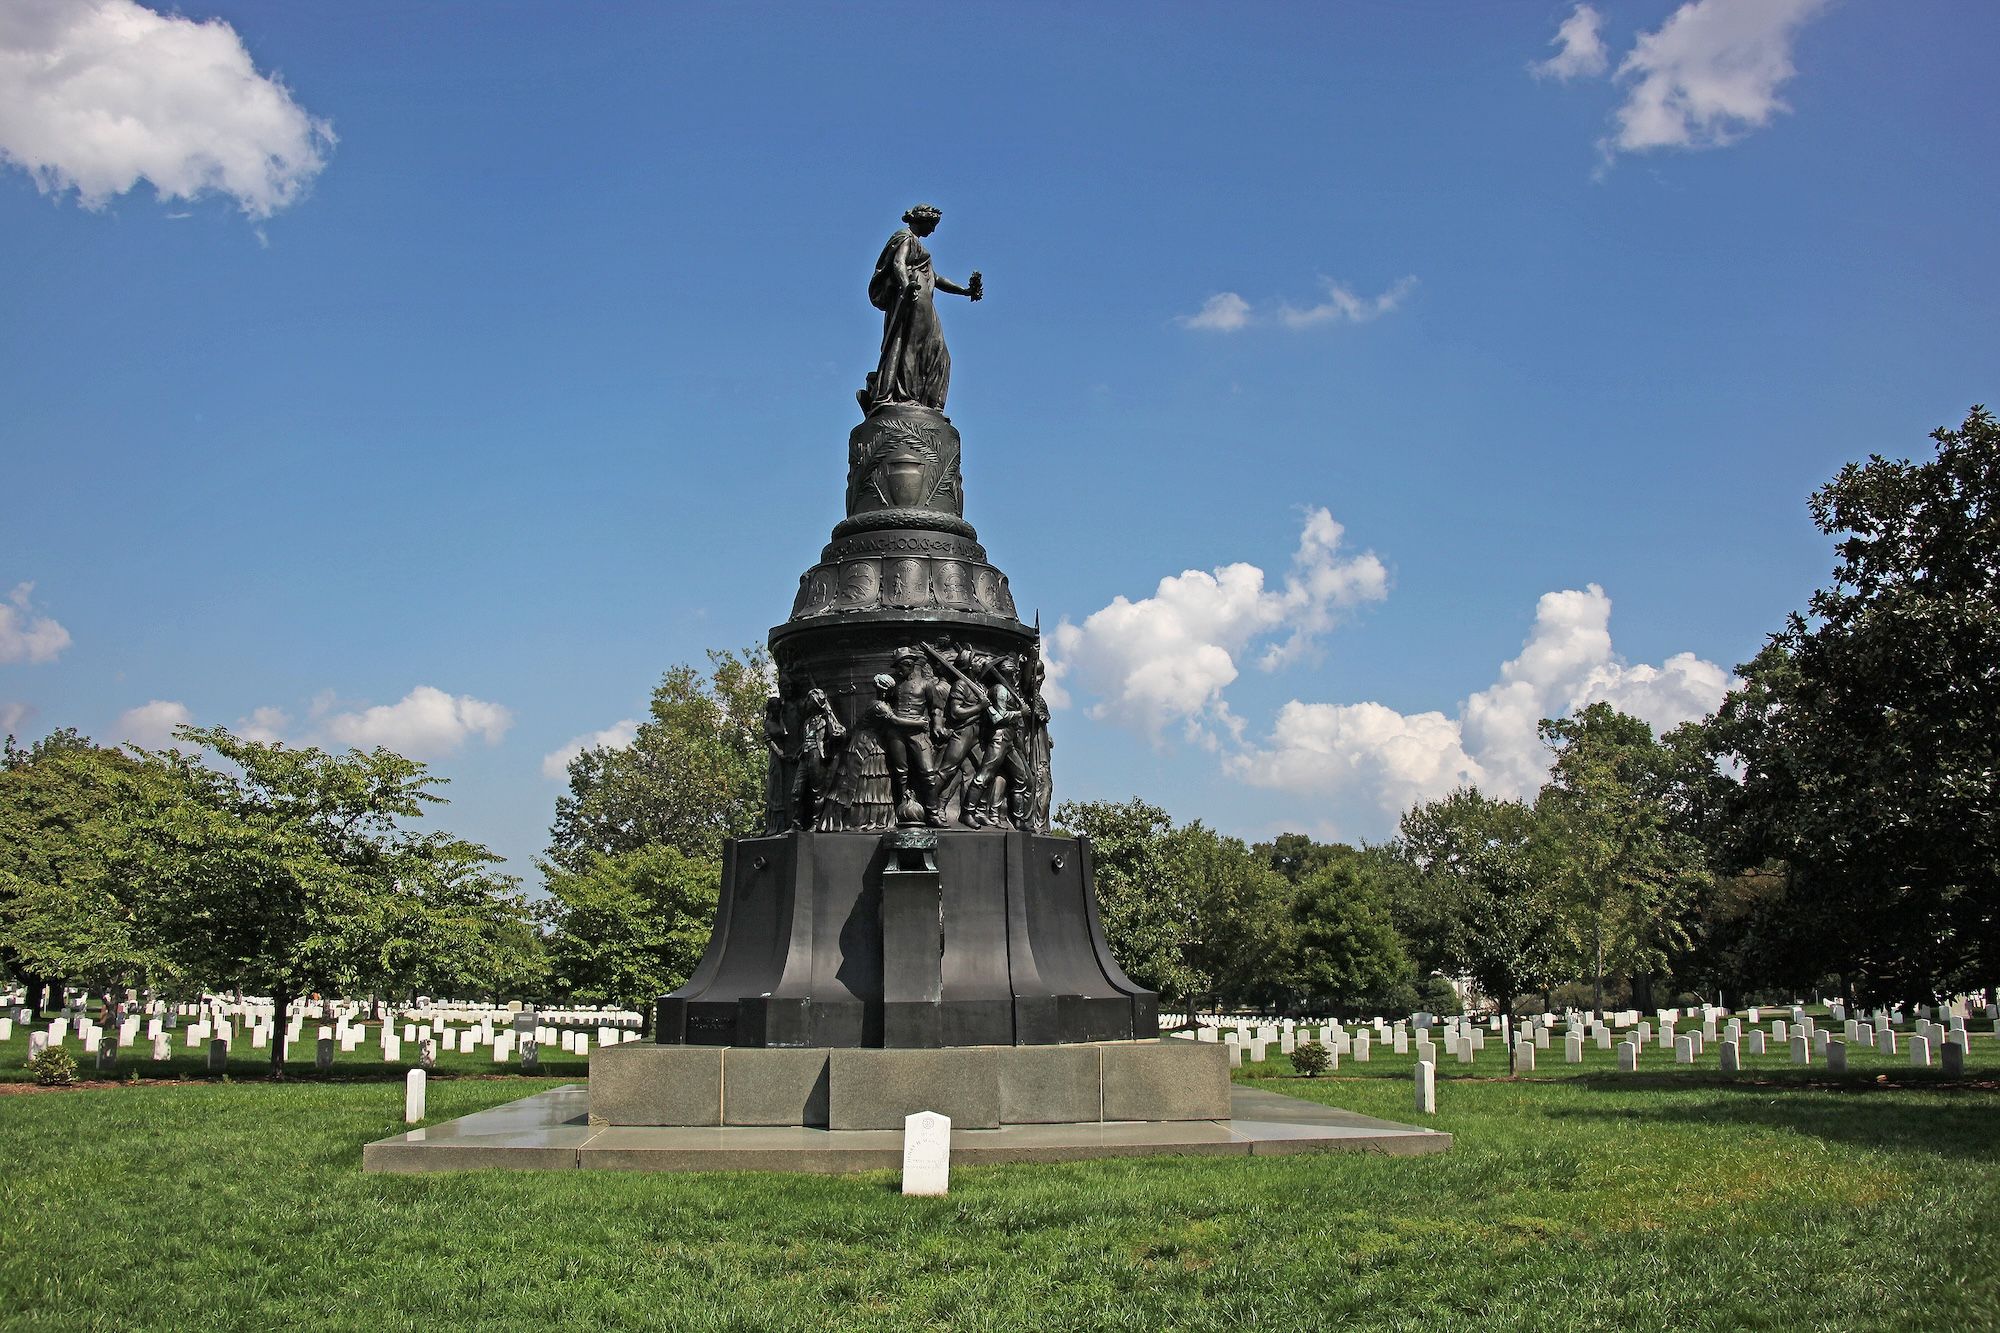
[{"x": 553, "y": 1132}]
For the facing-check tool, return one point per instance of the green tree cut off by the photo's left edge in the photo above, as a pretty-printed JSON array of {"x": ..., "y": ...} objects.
[{"x": 67, "y": 910}]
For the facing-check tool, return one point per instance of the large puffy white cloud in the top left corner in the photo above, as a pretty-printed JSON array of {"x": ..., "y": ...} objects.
[{"x": 99, "y": 95}]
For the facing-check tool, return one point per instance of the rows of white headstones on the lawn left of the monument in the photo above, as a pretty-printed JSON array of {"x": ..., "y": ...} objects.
[{"x": 509, "y": 1034}]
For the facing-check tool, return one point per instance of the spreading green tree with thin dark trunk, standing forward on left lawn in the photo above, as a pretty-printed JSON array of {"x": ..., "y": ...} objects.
[{"x": 279, "y": 872}]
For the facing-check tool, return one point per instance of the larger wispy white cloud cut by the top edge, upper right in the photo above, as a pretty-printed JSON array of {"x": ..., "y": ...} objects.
[{"x": 1709, "y": 75}]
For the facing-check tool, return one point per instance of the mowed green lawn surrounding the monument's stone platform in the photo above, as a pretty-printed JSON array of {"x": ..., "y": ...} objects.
[{"x": 1573, "y": 1200}]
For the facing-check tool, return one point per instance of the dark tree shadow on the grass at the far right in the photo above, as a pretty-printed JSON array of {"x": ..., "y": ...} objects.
[{"x": 1911, "y": 1114}]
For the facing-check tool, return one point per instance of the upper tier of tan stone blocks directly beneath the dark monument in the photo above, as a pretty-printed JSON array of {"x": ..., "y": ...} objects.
[{"x": 851, "y": 1090}]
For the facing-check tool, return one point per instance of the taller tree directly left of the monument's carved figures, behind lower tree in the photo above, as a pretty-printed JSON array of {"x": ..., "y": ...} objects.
[{"x": 693, "y": 776}]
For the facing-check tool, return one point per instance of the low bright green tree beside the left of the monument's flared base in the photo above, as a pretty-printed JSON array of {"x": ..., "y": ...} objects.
[{"x": 631, "y": 926}]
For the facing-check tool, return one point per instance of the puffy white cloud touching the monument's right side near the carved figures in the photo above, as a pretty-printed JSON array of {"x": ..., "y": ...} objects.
[{"x": 1169, "y": 657}]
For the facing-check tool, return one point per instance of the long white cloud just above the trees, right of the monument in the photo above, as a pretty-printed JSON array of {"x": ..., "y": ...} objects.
[{"x": 1389, "y": 760}]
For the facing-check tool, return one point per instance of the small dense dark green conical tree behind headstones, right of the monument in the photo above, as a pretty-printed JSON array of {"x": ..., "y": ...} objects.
[{"x": 1345, "y": 952}]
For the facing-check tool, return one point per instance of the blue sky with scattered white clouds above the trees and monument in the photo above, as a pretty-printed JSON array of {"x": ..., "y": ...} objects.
[{"x": 439, "y": 375}]
